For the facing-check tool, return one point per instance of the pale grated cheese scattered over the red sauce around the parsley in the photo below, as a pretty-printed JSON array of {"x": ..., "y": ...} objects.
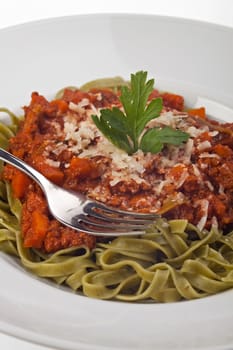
[{"x": 82, "y": 138}]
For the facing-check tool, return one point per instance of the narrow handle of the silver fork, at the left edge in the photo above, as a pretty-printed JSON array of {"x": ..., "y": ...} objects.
[{"x": 24, "y": 167}]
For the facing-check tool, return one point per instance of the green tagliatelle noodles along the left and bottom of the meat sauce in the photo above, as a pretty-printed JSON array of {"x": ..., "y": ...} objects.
[{"x": 172, "y": 261}]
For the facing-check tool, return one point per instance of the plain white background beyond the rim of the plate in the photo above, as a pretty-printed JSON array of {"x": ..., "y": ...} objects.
[{"x": 19, "y": 11}]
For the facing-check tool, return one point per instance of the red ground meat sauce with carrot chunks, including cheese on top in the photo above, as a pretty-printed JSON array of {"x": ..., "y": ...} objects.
[{"x": 193, "y": 181}]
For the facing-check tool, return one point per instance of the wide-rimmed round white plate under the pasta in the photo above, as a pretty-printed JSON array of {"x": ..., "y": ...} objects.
[{"x": 187, "y": 57}]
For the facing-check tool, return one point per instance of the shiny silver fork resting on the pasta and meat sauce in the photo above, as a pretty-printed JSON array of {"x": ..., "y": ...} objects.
[{"x": 80, "y": 213}]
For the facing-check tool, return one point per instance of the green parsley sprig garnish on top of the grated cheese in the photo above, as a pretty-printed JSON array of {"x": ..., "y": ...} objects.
[{"x": 126, "y": 129}]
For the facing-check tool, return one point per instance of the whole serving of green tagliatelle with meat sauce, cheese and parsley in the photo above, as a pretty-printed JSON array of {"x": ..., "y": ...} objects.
[{"x": 173, "y": 161}]
